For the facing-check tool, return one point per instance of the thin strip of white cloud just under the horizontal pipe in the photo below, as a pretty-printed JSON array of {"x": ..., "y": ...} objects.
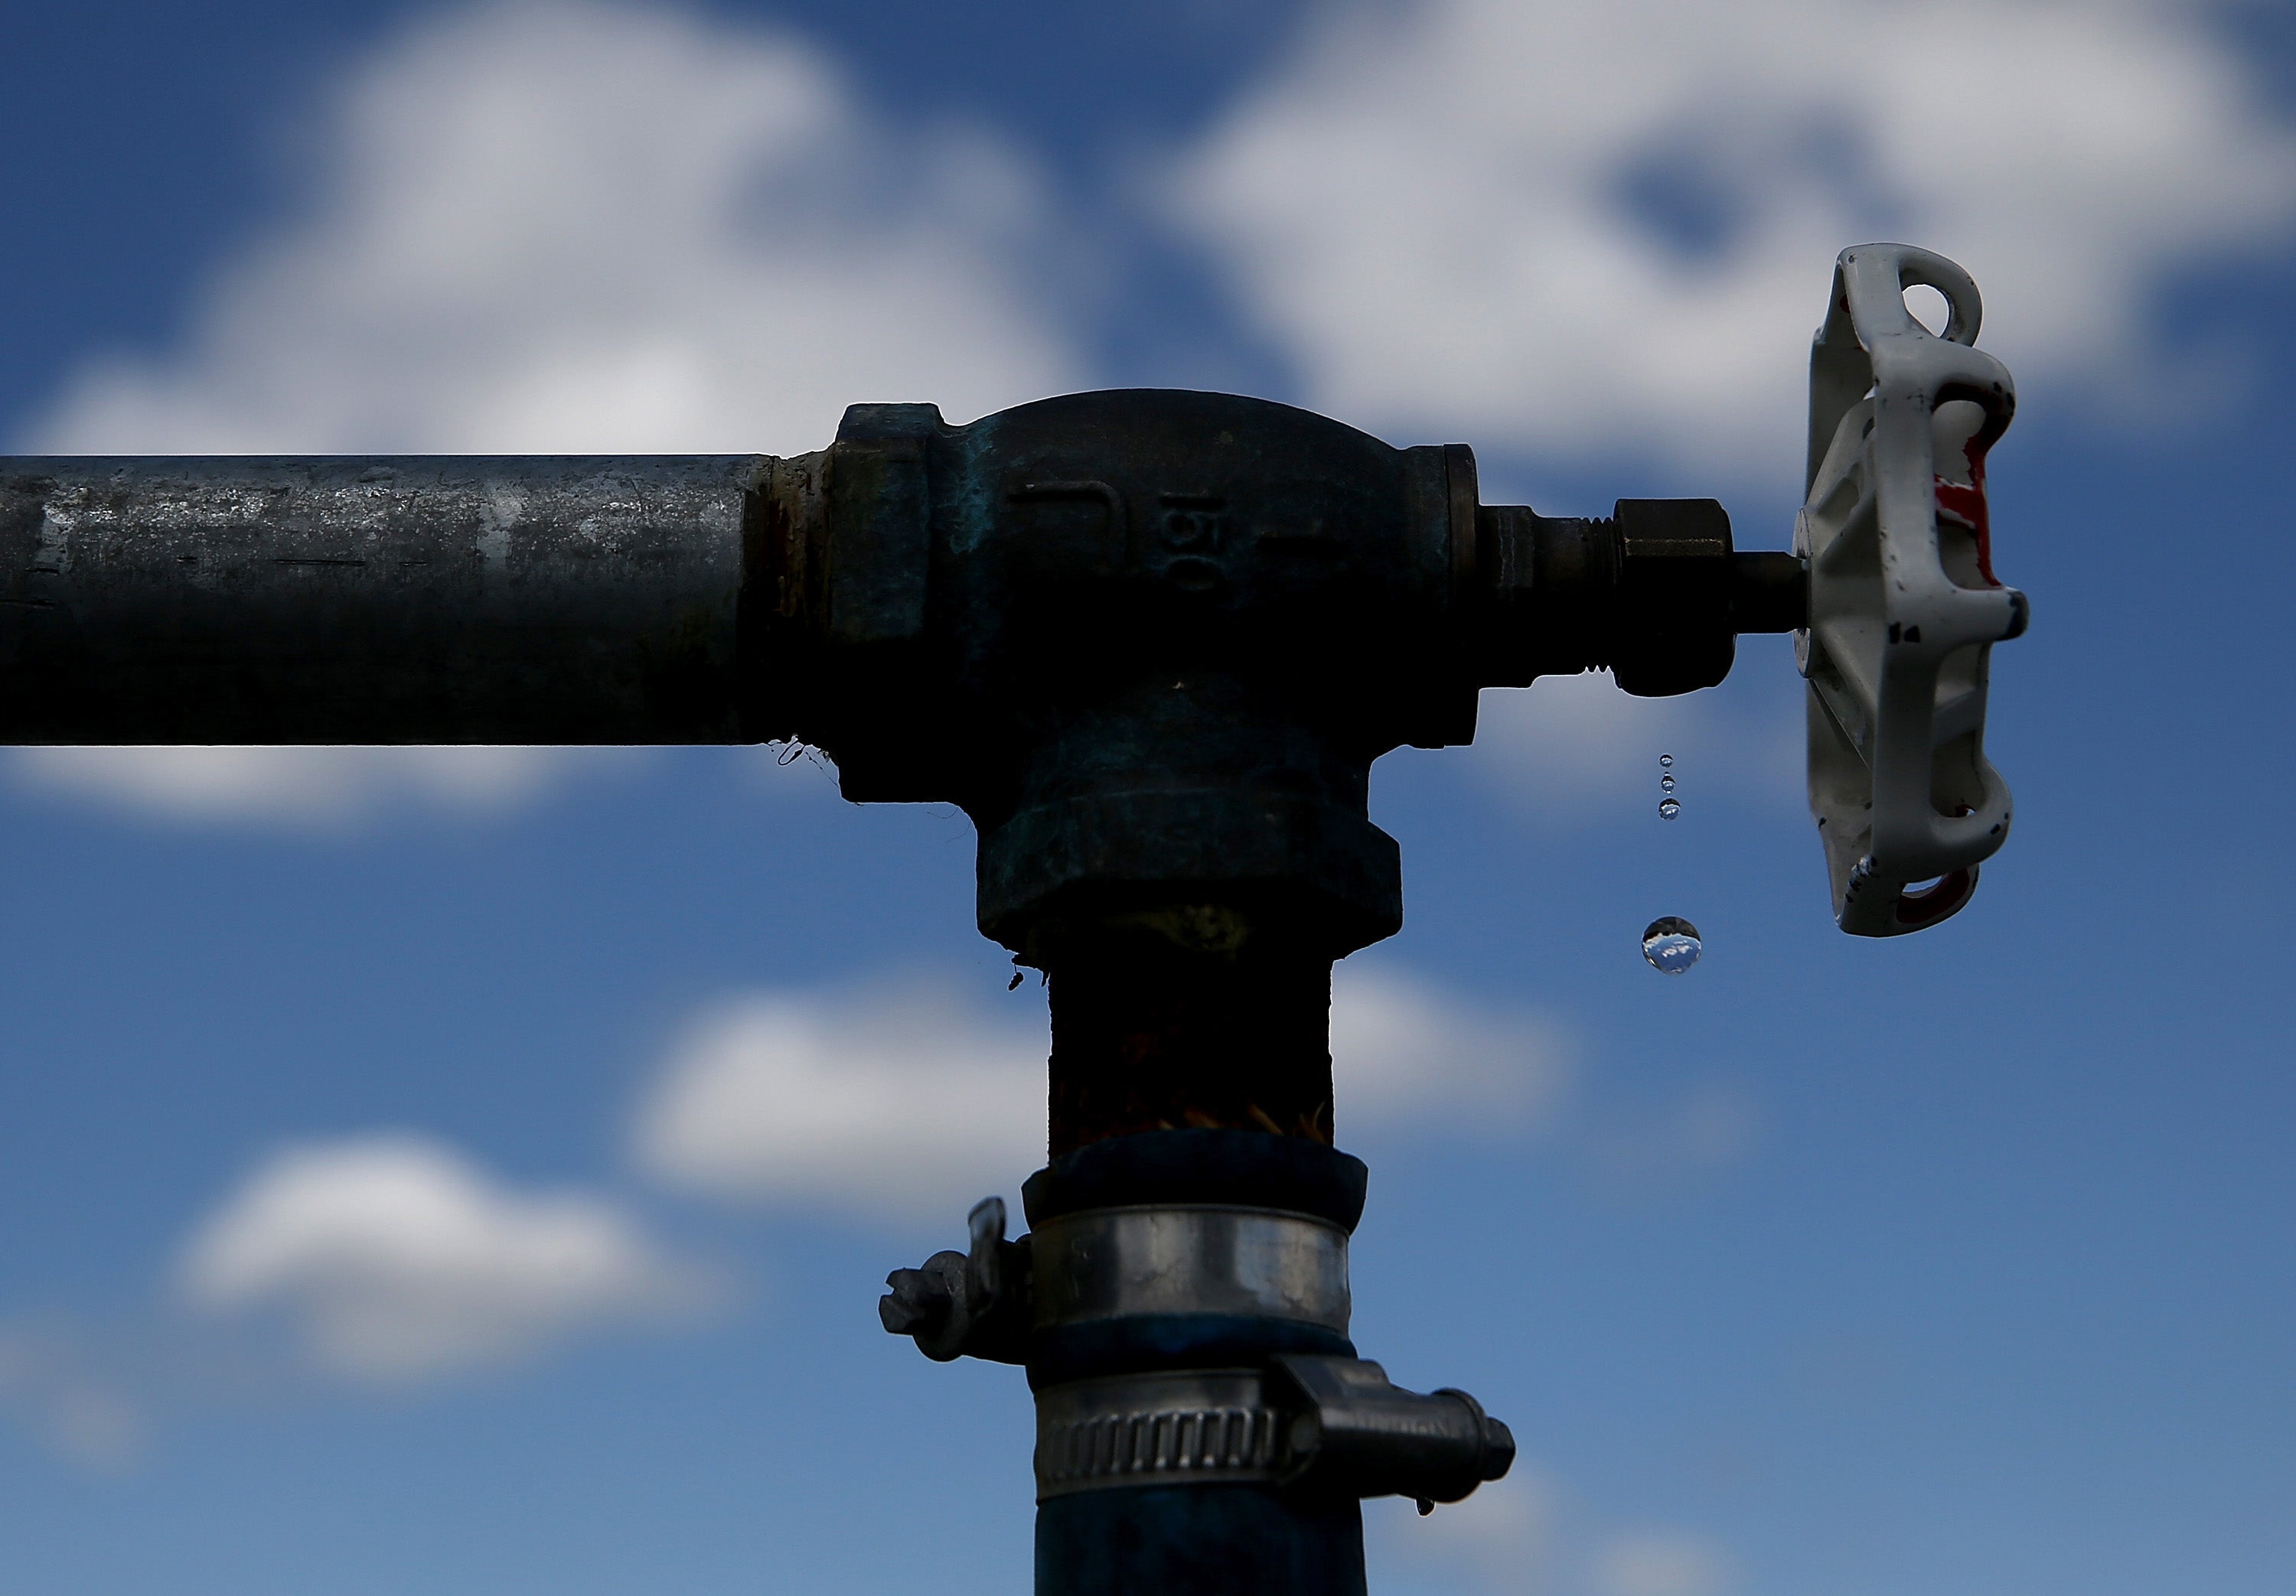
[{"x": 302, "y": 787}]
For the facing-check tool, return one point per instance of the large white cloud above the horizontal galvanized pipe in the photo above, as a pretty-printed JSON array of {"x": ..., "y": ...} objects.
[{"x": 575, "y": 226}]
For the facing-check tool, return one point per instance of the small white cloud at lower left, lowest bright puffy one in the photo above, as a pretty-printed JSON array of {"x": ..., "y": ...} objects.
[{"x": 398, "y": 1260}]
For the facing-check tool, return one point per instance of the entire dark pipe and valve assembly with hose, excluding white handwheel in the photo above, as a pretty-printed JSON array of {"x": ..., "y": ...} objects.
[{"x": 1151, "y": 644}]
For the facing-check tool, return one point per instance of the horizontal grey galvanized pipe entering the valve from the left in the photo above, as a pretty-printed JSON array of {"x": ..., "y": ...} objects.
[{"x": 380, "y": 601}]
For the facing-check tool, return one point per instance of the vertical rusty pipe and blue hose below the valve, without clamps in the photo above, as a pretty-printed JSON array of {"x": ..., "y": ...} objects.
[{"x": 1190, "y": 1071}]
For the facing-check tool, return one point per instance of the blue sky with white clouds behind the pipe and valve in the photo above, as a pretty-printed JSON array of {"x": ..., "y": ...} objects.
[{"x": 476, "y": 1170}]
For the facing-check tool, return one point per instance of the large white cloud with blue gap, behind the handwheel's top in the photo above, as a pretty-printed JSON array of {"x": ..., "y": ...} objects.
[{"x": 1461, "y": 217}]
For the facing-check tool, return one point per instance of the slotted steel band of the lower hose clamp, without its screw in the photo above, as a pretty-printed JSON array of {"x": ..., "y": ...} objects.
[{"x": 1158, "y": 1430}]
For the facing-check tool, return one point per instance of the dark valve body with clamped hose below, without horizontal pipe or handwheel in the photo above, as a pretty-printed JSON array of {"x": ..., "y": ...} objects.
[{"x": 1154, "y": 644}]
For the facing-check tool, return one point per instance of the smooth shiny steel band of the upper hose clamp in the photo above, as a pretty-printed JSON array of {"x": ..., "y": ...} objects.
[{"x": 1190, "y": 1260}]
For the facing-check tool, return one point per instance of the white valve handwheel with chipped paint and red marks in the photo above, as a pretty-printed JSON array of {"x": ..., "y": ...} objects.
[{"x": 1905, "y": 607}]
